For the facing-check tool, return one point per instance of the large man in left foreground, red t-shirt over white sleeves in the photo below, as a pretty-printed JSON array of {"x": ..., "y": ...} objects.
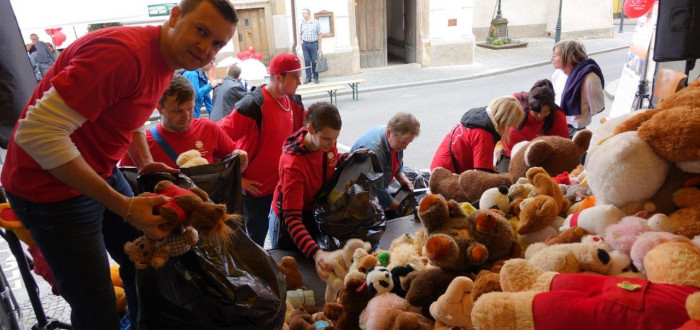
[{"x": 59, "y": 174}]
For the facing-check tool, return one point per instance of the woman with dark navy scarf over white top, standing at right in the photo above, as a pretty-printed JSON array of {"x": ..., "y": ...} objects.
[{"x": 582, "y": 96}]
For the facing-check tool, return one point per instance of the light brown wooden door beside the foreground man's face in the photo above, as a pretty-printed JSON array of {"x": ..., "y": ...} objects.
[{"x": 252, "y": 32}]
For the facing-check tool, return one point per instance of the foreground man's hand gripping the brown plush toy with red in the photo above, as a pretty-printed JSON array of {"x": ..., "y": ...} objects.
[{"x": 142, "y": 217}]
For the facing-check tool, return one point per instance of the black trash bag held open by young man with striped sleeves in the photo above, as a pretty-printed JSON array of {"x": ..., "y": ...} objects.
[{"x": 347, "y": 205}]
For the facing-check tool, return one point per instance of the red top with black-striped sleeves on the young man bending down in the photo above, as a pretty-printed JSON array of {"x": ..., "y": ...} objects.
[{"x": 301, "y": 177}]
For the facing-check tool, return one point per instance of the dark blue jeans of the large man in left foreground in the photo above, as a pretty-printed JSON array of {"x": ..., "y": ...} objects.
[{"x": 74, "y": 236}]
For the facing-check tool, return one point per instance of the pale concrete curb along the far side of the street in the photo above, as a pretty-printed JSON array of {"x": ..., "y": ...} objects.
[{"x": 454, "y": 79}]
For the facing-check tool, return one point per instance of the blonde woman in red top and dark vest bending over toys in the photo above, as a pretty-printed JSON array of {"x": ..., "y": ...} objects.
[{"x": 470, "y": 144}]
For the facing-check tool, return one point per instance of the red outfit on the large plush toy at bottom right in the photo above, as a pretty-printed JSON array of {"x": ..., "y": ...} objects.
[{"x": 586, "y": 301}]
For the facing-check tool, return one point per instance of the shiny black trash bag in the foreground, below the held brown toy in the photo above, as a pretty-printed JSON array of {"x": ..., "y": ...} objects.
[{"x": 208, "y": 287}]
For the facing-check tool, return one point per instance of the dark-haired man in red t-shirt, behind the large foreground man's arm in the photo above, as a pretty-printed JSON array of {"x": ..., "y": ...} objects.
[{"x": 180, "y": 132}]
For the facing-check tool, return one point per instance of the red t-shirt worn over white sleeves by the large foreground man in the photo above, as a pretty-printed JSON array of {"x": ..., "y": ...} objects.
[{"x": 113, "y": 77}]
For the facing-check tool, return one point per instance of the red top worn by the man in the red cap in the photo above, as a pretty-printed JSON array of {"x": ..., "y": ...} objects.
[{"x": 263, "y": 144}]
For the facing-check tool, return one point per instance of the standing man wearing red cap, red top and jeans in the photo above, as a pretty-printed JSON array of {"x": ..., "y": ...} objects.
[{"x": 261, "y": 122}]
